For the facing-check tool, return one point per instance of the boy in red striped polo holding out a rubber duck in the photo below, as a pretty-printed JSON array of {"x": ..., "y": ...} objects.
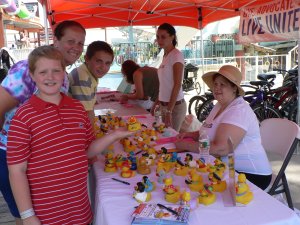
[{"x": 49, "y": 143}]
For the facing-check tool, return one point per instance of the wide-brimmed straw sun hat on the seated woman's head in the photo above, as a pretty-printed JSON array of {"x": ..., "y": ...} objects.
[{"x": 231, "y": 73}]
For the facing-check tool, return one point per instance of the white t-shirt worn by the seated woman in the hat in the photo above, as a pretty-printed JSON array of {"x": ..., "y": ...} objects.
[{"x": 250, "y": 156}]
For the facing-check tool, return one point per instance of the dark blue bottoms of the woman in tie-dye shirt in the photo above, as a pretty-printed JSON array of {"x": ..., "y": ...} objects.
[{"x": 5, "y": 186}]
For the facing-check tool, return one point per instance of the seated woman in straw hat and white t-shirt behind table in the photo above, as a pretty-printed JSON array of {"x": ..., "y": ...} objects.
[{"x": 233, "y": 117}]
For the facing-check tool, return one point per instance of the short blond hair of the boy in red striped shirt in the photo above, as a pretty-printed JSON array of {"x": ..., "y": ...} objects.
[{"x": 48, "y": 52}]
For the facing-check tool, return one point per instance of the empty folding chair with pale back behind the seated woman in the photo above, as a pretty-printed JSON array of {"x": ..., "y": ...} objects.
[{"x": 280, "y": 136}]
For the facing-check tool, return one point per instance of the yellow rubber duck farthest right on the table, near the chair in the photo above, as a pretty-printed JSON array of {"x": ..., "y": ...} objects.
[{"x": 243, "y": 193}]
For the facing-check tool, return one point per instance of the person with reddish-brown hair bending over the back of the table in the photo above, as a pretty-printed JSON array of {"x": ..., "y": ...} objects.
[{"x": 145, "y": 80}]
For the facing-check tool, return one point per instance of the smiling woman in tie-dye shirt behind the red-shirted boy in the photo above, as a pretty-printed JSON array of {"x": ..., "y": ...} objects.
[{"x": 18, "y": 87}]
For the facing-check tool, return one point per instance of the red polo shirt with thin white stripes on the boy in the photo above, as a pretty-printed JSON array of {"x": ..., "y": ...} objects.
[{"x": 53, "y": 139}]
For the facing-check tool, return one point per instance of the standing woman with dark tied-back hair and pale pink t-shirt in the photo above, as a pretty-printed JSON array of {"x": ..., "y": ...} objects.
[{"x": 170, "y": 75}]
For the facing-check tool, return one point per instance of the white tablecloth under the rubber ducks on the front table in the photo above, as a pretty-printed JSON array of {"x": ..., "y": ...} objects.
[{"x": 114, "y": 203}]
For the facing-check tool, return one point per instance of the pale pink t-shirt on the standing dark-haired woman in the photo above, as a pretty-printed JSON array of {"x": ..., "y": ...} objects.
[{"x": 165, "y": 75}]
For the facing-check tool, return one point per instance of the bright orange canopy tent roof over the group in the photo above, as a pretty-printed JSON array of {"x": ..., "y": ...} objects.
[{"x": 110, "y": 13}]
